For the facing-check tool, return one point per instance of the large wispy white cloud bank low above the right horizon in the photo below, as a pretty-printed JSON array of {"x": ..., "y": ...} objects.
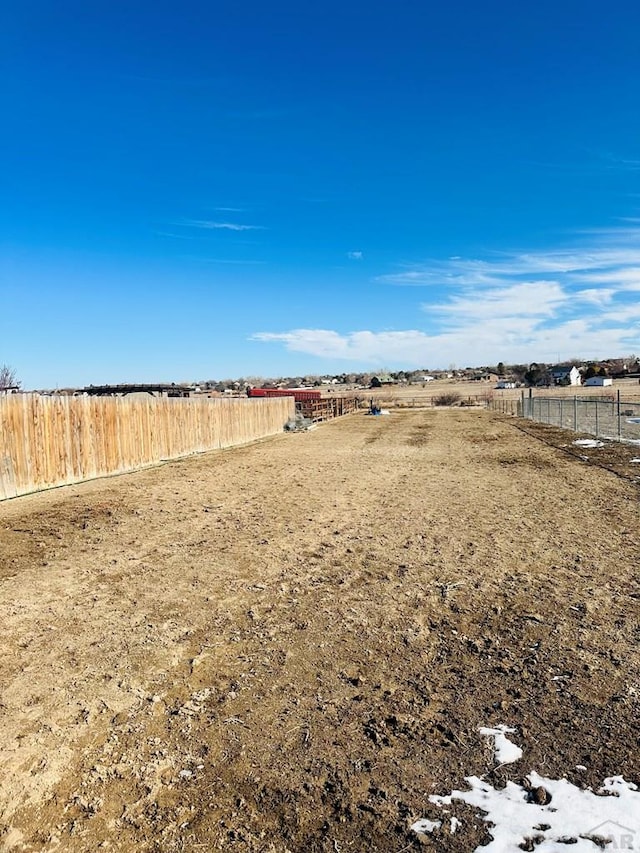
[{"x": 578, "y": 301}]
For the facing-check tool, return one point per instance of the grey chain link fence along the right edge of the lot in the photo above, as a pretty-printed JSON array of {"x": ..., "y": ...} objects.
[{"x": 604, "y": 417}]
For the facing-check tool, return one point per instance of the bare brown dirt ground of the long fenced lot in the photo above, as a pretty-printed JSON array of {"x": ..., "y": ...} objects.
[{"x": 289, "y": 646}]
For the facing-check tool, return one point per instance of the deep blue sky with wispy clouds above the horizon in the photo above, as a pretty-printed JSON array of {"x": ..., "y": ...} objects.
[{"x": 212, "y": 189}]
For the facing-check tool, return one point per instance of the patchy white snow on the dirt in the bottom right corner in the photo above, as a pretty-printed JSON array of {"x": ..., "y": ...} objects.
[{"x": 551, "y": 814}]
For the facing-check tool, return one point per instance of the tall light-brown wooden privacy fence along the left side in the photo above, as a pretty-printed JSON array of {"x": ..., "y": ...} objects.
[{"x": 52, "y": 441}]
